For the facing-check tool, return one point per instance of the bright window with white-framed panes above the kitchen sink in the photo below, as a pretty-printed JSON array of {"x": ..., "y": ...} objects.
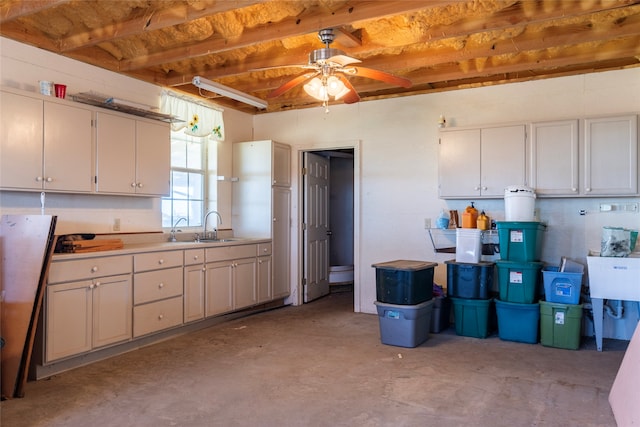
[{"x": 193, "y": 160}]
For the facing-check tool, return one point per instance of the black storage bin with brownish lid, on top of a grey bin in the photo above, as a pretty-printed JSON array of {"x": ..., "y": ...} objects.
[{"x": 404, "y": 282}]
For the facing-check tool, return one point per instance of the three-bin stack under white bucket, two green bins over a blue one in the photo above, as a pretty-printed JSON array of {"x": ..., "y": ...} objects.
[{"x": 519, "y": 269}]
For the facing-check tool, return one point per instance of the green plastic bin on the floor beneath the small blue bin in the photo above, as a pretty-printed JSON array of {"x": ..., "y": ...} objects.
[{"x": 560, "y": 325}]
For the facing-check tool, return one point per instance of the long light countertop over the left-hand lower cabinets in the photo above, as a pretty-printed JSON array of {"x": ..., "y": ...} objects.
[{"x": 155, "y": 246}]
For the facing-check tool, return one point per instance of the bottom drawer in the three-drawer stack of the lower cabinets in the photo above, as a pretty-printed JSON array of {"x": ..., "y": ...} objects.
[{"x": 157, "y": 316}]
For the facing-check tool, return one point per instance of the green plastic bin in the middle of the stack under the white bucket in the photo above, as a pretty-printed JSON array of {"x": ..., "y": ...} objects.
[{"x": 519, "y": 281}]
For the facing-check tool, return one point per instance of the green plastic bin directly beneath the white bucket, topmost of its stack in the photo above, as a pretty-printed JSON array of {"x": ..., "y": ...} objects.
[{"x": 520, "y": 240}]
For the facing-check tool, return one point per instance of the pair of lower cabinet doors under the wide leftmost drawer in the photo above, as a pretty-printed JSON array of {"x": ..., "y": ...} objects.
[{"x": 88, "y": 314}]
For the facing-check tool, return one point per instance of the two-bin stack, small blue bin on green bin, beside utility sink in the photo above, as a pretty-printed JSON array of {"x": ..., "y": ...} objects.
[{"x": 561, "y": 313}]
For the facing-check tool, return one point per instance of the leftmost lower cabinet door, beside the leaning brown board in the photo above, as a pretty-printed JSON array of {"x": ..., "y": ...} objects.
[{"x": 69, "y": 319}]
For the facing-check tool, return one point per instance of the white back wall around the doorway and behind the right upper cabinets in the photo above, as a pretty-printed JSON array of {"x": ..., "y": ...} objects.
[{"x": 398, "y": 159}]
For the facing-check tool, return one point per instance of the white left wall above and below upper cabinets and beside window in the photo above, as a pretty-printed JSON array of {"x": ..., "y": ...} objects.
[{"x": 22, "y": 66}]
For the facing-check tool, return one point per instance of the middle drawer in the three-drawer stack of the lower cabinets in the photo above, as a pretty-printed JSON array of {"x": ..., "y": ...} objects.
[{"x": 156, "y": 285}]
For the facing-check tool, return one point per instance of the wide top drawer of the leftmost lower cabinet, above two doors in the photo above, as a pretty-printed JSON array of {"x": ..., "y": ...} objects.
[{"x": 66, "y": 271}]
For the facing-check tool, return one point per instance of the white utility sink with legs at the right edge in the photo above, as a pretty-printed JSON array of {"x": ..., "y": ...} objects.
[{"x": 611, "y": 278}]
